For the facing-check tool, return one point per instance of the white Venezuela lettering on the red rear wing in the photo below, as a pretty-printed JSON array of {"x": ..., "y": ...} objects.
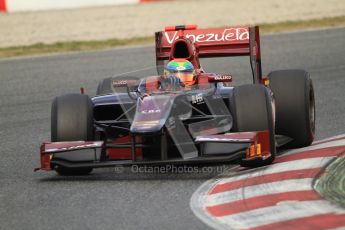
[{"x": 230, "y": 34}]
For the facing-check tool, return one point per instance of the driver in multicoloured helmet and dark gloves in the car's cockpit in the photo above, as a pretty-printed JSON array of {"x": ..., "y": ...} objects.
[{"x": 178, "y": 73}]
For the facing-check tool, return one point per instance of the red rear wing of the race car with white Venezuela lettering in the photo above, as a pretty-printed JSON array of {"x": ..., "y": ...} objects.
[{"x": 215, "y": 42}]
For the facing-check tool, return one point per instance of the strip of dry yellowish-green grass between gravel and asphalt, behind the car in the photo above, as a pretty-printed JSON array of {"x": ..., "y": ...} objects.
[{"x": 58, "y": 47}]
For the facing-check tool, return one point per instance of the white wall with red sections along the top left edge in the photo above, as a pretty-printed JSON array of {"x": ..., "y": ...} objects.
[{"x": 37, "y": 5}]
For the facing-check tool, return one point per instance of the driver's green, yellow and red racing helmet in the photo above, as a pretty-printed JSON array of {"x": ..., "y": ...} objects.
[{"x": 183, "y": 69}]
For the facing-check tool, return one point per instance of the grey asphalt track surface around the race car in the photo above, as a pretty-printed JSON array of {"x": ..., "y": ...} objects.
[{"x": 110, "y": 200}]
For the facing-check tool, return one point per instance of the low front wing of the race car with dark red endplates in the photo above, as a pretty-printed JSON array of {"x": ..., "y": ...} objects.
[{"x": 213, "y": 148}]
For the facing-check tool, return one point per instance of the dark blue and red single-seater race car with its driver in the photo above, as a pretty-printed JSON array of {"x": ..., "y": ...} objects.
[{"x": 182, "y": 114}]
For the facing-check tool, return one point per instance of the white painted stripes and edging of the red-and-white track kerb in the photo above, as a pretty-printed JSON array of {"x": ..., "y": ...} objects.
[{"x": 283, "y": 211}]
